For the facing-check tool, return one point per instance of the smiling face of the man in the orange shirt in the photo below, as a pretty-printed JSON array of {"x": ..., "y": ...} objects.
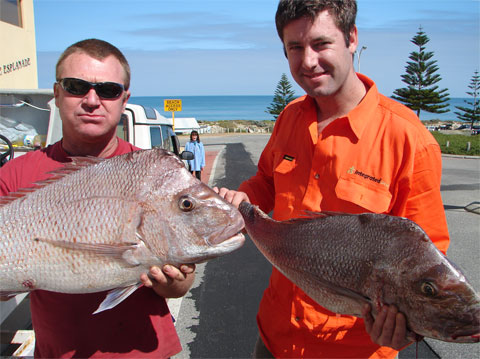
[{"x": 319, "y": 60}]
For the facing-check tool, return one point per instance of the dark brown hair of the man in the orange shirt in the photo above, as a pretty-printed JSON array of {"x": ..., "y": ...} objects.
[{"x": 343, "y": 11}]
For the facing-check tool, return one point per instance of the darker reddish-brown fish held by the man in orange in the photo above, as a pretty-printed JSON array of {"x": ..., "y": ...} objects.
[{"x": 344, "y": 261}]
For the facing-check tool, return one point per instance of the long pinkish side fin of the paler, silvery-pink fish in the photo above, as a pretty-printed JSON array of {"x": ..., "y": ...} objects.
[{"x": 123, "y": 251}]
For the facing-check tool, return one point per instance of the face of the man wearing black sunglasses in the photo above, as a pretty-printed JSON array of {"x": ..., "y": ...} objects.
[{"x": 89, "y": 118}]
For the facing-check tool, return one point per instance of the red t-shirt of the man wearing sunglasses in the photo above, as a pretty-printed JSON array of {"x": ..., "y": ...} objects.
[{"x": 139, "y": 327}]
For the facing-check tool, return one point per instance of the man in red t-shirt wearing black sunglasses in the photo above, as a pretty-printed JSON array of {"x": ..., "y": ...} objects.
[{"x": 91, "y": 92}]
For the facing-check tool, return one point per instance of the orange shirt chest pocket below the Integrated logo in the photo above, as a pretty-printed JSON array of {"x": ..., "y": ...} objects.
[{"x": 375, "y": 199}]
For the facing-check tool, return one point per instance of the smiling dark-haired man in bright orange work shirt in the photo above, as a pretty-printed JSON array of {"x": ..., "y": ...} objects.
[{"x": 343, "y": 147}]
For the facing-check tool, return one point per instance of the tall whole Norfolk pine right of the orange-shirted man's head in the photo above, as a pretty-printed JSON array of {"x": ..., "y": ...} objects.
[{"x": 422, "y": 93}]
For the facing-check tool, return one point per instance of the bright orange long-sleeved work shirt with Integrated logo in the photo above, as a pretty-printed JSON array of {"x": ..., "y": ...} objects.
[{"x": 378, "y": 158}]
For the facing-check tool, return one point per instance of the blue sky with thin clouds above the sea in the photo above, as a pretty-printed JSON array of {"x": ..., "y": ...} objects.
[{"x": 230, "y": 47}]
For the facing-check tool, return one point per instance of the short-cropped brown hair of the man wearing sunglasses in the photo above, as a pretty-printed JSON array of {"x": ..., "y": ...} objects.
[{"x": 97, "y": 49}]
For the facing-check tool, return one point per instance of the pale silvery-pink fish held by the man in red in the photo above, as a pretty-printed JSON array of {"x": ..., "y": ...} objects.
[{"x": 99, "y": 224}]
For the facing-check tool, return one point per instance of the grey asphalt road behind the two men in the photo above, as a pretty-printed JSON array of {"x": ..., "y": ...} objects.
[{"x": 216, "y": 319}]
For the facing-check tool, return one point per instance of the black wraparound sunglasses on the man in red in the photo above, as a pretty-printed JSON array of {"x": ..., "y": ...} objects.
[{"x": 79, "y": 87}]
